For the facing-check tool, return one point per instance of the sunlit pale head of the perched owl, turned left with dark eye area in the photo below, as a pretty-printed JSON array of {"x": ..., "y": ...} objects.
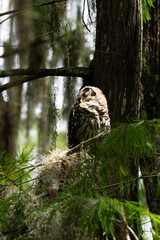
[{"x": 89, "y": 93}]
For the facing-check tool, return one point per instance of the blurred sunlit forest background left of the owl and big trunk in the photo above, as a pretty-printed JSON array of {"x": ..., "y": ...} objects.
[{"x": 42, "y": 37}]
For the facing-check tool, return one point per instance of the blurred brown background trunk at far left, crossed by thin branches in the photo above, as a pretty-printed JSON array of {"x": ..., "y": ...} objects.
[{"x": 10, "y": 117}]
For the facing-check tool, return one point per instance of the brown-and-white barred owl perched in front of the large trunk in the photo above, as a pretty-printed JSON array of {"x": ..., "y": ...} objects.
[{"x": 88, "y": 115}]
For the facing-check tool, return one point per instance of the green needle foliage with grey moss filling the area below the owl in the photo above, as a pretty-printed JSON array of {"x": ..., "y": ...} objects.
[{"x": 97, "y": 198}]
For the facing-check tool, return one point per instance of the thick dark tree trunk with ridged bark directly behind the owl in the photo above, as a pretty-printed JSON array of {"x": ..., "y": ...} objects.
[{"x": 118, "y": 57}]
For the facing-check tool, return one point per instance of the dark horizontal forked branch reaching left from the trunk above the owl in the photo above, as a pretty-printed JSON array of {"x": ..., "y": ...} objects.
[{"x": 32, "y": 74}]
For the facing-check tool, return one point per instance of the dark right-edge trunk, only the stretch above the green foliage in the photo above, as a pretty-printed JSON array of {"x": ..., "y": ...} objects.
[{"x": 151, "y": 70}]
